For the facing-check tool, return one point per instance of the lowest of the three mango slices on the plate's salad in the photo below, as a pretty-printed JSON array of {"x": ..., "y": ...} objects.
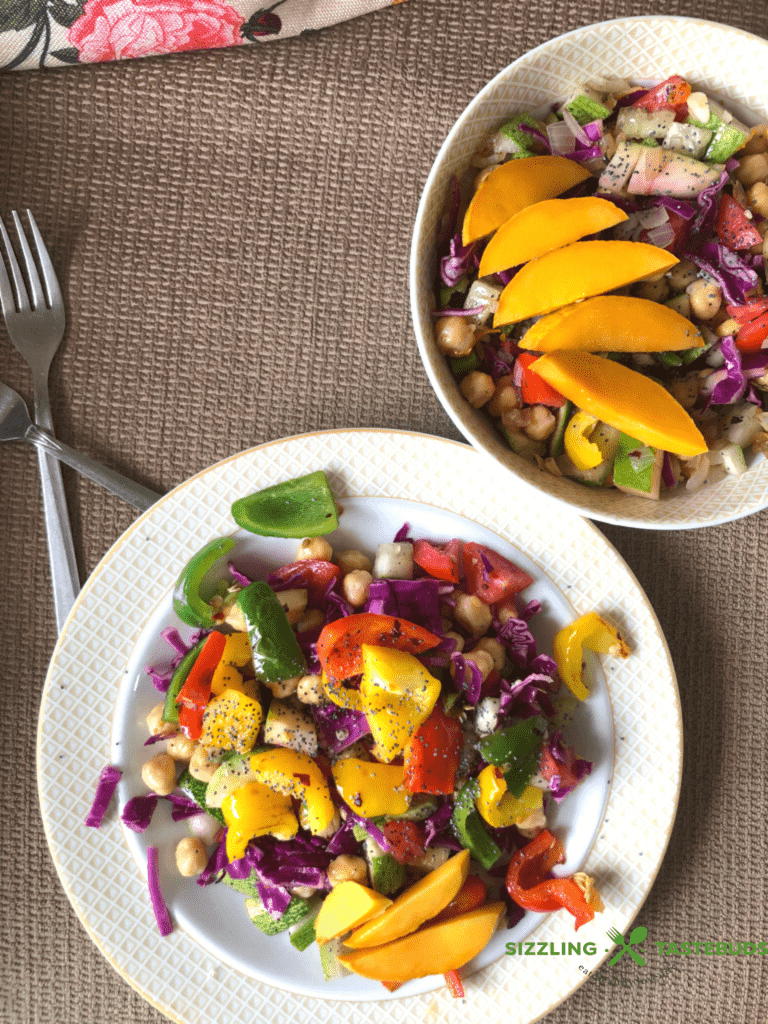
[{"x": 434, "y": 951}]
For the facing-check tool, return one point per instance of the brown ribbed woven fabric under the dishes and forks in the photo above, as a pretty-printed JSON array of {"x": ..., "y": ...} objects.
[{"x": 232, "y": 231}]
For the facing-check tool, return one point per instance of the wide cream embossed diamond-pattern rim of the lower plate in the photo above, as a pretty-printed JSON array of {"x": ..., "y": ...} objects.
[{"x": 97, "y": 869}]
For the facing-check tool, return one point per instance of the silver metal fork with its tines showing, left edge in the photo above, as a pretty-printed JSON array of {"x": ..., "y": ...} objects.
[{"x": 36, "y": 329}]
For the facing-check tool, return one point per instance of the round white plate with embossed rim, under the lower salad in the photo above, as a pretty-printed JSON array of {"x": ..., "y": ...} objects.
[{"x": 382, "y": 480}]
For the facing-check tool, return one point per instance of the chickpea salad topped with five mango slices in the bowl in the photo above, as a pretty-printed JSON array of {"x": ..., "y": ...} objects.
[{"x": 602, "y": 287}]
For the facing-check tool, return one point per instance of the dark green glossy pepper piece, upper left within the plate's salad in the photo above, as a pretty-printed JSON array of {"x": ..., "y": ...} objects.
[{"x": 275, "y": 650}]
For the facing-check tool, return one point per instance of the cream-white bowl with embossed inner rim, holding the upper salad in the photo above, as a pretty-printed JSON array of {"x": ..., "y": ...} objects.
[{"x": 723, "y": 62}]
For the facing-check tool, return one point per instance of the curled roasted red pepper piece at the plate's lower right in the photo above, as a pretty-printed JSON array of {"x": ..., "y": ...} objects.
[{"x": 530, "y": 888}]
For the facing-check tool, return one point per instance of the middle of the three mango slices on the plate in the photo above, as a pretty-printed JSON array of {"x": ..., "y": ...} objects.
[{"x": 423, "y": 901}]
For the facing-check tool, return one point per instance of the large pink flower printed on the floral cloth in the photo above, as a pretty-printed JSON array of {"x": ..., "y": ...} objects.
[{"x": 110, "y": 30}]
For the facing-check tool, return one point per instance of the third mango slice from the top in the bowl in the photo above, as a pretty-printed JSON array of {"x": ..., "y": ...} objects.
[{"x": 578, "y": 272}]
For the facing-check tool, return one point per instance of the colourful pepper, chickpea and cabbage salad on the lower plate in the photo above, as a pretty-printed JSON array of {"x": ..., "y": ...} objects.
[{"x": 366, "y": 747}]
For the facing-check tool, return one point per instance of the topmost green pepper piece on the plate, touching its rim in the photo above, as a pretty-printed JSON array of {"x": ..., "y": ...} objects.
[{"x": 304, "y": 507}]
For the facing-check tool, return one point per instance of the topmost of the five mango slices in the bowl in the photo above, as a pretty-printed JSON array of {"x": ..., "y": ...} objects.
[{"x": 515, "y": 186}]
